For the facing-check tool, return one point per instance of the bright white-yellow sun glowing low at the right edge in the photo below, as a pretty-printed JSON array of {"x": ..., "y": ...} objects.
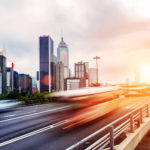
[{"x": 145, "y": 73}]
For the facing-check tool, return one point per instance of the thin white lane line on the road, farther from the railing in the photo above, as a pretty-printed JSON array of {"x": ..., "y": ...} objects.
[{"x": 51, "y": 110}]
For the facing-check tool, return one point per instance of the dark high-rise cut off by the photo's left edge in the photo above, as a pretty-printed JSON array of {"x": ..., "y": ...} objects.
[{"x": 3, "y": 71}]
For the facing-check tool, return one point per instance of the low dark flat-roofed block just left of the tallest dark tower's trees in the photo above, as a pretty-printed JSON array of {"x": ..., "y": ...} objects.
[{"x": 25, "y": 83}]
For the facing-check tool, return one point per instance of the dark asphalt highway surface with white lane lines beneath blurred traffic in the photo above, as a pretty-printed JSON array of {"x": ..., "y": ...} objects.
[{"x": 42, "y": 127}]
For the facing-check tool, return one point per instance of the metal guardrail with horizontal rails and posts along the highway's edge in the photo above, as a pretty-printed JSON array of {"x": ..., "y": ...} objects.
[{"x": 110, "y": 132}]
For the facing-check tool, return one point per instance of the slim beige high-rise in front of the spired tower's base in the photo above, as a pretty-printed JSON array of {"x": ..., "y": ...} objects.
[{"x": 59, "y": 76}]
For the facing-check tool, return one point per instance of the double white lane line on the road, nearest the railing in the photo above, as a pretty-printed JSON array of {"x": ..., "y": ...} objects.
[{"x": 33, "y": 133}]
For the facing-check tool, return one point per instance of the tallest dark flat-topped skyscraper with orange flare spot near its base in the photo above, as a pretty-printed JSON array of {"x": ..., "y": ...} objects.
[{"x": 46, "y": 47}]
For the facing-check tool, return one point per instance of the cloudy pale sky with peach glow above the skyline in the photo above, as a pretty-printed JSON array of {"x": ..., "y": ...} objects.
[{"x": 118, "y": 31}]
